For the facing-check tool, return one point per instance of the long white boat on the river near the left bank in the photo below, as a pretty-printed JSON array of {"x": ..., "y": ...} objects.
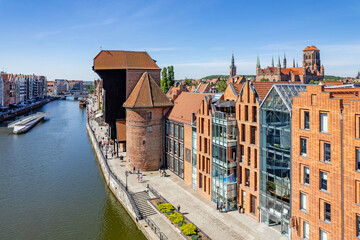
[{"x": 24, "y": 124}]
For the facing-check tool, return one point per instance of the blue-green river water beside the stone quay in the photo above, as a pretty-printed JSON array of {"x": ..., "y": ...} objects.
[{"x": 51, "y": 186}]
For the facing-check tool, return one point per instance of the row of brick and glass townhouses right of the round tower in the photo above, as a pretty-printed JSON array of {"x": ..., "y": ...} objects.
[{"x": 287, "y": 155}]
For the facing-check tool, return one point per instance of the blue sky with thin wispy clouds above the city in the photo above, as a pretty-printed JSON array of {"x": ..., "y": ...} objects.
[{"x": 59, "y": 39}]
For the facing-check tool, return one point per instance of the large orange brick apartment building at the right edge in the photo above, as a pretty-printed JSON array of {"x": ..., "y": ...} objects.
[{"x": 325, "y": 177}]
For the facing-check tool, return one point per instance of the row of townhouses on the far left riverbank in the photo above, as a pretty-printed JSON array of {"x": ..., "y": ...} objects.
[{"x": 19, "y": 88}]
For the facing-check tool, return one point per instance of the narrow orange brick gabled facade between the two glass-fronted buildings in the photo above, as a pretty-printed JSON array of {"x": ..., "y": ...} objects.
[{"x": 247, "y": 111}]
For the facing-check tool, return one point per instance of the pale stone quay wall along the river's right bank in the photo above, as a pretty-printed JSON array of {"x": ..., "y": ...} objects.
[{"x": 114, "y": 184}]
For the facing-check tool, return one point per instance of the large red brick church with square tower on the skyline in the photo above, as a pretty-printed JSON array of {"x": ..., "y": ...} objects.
[{"x": 311, "y": 69}]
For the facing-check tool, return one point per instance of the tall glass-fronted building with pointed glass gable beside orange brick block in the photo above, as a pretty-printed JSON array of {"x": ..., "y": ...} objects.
[{"x": 275, "y": 155}]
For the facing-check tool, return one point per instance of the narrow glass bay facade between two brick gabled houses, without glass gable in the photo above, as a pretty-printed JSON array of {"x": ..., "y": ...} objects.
[{"x": 224, "y": 157}]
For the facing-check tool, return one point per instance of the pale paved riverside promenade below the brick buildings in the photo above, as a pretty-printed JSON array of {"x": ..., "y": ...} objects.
[{"x": 201, "y": 211}]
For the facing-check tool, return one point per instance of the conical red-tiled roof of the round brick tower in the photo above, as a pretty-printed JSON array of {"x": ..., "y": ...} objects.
[{"x": 147, "y": 94}]
